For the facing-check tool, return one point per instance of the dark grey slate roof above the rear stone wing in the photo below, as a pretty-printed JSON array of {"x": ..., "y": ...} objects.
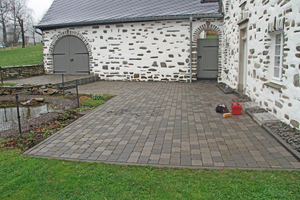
[{"x": 88, "y": 12}]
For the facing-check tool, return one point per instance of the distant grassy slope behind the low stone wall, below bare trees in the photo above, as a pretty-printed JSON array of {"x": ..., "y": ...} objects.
[{"x": 21, "y": 56}]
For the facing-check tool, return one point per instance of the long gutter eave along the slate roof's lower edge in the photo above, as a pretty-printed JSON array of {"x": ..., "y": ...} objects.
[{"x": 140, "y": 19}]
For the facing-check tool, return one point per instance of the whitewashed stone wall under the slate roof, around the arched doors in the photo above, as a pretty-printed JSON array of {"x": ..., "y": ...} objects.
[{"x": 142, "y": 51}]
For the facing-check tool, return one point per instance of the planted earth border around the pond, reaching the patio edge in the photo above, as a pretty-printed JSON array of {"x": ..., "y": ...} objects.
[{"x": 38, "y": 129}]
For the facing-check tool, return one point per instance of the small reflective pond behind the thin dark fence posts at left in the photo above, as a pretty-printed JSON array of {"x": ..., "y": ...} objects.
[{"x": 9, "y": 116}]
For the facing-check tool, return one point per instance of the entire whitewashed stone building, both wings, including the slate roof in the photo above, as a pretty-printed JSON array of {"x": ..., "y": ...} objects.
[{"x": 257, "y": 51}]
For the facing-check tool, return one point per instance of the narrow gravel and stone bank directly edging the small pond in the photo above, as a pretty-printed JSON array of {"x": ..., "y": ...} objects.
[{"x": 59, "y": 104}]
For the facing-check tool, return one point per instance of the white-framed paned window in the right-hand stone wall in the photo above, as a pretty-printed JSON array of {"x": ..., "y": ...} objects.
[{"x": 278, "y": 56}]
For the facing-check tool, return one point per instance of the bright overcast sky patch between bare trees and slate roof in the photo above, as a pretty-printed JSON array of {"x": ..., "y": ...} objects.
[{"x": 39, "y": 7}]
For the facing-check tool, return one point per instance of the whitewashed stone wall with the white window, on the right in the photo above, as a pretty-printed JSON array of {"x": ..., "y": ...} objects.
[{"x": 284, "y": 101}]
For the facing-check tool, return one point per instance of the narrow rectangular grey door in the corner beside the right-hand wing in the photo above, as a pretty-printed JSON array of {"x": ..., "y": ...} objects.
[{"x": 208, "y": 54}]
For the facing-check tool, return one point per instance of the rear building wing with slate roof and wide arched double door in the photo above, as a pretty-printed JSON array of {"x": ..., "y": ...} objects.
[{"x": 134, "y": 40}]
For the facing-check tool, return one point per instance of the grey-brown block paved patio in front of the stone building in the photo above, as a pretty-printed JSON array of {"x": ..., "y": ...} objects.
[{"x": 166, "y": 124}]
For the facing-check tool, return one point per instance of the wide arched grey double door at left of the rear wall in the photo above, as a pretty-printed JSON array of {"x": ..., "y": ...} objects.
[{"x": 70, "y": 56}]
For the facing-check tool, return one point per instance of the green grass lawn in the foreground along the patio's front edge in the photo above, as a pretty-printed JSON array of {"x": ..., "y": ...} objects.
[{"x": 38, "y": 178}]
